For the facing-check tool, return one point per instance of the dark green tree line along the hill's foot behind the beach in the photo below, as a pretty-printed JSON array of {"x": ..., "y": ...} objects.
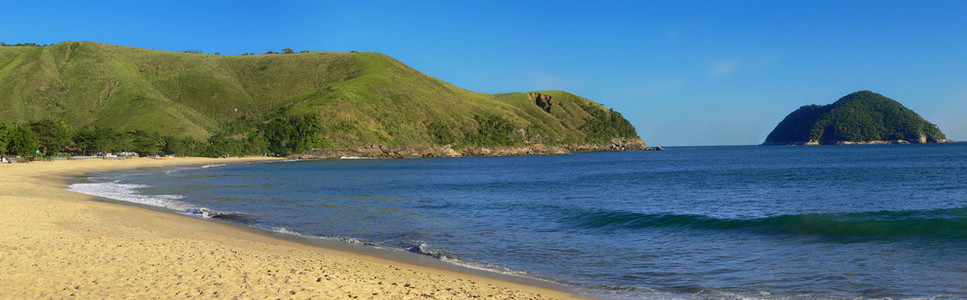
[{"x": 280, "y": 136}]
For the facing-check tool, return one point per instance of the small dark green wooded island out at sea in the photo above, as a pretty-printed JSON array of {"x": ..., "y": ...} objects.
[{"x": 862, "y": 117}]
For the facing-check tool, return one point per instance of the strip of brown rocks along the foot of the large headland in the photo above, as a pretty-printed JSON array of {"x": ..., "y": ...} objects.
[{"x": 382, "y": 151}]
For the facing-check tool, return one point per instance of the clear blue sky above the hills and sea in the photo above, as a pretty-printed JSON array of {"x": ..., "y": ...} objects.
[{"x": 683, "y": 72}]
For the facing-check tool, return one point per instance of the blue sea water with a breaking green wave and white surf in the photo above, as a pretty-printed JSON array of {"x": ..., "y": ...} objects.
[{"x": 869, "y": 221}]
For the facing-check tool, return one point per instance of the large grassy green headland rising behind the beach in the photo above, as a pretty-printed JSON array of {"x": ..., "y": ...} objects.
[{"x": 293, "y": 101}]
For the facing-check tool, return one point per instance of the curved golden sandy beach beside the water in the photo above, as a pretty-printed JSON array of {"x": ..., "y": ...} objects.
[{"x": 56, "y": 244}]
